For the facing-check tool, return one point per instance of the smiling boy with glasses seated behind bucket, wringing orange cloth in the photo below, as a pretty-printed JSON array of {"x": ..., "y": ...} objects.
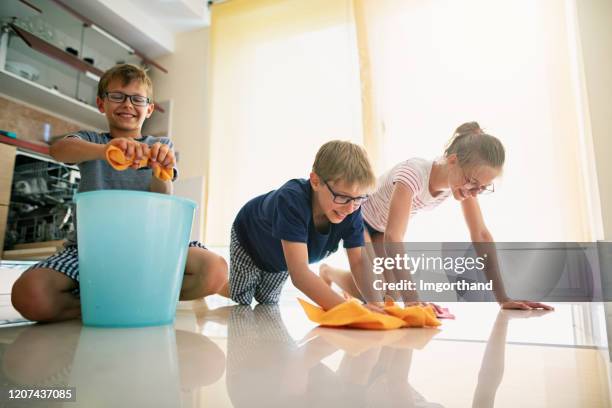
[{"x": 48, "y": 290}]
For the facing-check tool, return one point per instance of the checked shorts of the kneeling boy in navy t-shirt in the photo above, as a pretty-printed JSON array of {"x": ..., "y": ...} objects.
[{"x": 247, "y": 280}]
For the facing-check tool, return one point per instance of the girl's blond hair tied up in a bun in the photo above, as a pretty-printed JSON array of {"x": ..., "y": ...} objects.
[{"x": 475, "y": 147}]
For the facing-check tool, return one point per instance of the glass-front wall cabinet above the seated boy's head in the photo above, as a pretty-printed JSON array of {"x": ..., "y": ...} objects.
[{"x": 53, "y": 57}]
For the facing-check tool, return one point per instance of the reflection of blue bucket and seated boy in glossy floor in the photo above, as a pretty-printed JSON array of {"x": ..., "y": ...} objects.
[{"x": 137, "y": 367}]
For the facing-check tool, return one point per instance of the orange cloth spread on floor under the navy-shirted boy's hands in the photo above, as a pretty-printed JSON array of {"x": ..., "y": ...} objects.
[{"x": 354, "y": 314}]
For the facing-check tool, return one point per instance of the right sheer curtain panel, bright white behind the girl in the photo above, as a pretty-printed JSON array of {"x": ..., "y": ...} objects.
[{"x": 506, "y": 64}]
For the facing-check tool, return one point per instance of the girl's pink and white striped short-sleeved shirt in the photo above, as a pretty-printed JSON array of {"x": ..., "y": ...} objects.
[{"x": 414, "y": 174}]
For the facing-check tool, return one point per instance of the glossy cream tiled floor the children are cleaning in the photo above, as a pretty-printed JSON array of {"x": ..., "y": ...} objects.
[{"x": 221, "y": 356}]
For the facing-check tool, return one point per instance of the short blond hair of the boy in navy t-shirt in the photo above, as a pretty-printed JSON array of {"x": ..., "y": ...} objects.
[{"x": 339, "y": 160}]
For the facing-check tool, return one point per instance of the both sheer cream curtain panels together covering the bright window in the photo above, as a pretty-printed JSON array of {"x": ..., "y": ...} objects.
[{"x": 399, "y": 76}]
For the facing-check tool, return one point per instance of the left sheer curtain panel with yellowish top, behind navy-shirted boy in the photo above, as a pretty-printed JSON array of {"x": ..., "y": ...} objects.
[{"x": 285, "y": 79}]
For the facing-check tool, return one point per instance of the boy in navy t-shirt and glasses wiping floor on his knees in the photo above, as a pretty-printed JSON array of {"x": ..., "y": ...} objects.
[{"x": 278, "y": 234}]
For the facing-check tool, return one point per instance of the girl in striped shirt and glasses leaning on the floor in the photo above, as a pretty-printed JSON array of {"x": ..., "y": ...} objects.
[{"x": 472, "y": 160}]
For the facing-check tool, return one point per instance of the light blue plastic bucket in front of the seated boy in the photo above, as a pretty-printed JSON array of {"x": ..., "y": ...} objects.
[{"x": 132, "y": 254}]
